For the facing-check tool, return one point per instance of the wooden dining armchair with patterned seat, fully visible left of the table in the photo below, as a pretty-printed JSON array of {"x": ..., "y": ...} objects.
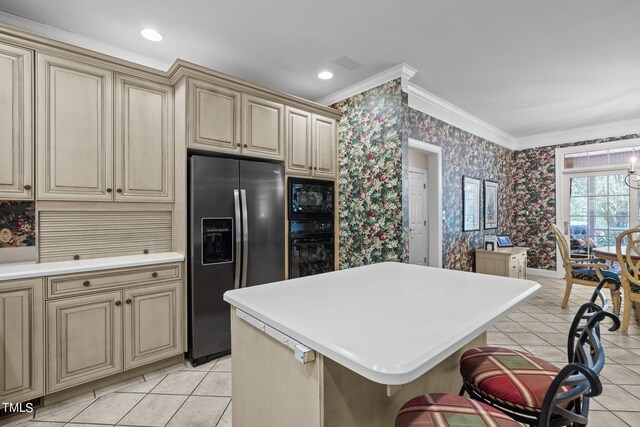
[{"x": 585, "y": 271}]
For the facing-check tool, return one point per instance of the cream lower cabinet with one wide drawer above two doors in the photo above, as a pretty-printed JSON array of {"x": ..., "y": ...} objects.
[{"x": 94, "y": 335}]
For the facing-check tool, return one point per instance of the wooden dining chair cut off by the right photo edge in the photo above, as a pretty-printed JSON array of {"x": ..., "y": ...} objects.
[{"x": 629, "y": 273}]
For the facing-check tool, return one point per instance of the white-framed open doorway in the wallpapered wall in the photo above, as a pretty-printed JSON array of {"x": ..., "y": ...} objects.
[{"x": 424, "y": 203}]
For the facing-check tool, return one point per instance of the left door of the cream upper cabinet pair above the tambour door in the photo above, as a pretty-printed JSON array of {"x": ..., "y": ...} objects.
[{"x": 74, "y": 130}]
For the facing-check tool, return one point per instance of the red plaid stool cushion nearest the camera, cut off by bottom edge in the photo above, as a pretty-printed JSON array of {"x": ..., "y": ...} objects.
[{"x": 447, "y": 410}]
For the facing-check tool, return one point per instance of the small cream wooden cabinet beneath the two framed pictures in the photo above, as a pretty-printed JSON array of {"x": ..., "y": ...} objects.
[{"x": 507, "y": 262}]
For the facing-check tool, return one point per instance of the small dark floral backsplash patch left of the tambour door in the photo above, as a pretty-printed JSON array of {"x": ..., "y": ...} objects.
[{"x": 17, "y": 224}]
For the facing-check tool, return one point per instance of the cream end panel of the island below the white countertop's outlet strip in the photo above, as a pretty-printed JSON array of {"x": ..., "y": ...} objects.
[{"x": 270, "y": 388}]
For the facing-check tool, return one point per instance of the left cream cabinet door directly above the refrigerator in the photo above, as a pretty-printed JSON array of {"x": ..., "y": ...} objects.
[{"x": 214, "y": 118}]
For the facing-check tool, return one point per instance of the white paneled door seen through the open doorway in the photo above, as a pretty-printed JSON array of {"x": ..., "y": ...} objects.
[{"x": 418, "y": 238}]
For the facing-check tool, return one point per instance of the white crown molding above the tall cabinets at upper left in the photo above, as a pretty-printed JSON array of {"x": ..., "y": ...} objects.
[{"x": 80, "y": 41}]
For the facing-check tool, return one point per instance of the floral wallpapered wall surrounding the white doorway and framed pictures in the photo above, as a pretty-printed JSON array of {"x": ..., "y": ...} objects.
[{"x": 373, "y": 155}]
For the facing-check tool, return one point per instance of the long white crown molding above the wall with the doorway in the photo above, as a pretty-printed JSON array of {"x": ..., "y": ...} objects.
[{"x": 428, "y": 103}]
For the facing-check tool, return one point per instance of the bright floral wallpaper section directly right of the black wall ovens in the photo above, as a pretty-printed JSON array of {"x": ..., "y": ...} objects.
[{"x": 370, "y": 181}]
